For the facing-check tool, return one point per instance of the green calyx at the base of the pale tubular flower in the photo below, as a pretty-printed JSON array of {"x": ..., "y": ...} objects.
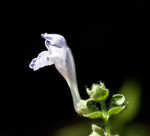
[{"x": 89, "y": 109}]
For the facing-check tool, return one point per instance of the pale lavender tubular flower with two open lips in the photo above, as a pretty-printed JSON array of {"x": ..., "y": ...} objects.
[{"x": 59, "y": 54}]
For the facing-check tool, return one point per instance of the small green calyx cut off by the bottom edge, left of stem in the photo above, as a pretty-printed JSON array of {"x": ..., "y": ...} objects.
[{"x": 97, "y": 131}]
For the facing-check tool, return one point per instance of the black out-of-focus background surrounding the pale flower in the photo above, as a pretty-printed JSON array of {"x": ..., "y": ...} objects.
[{"x": 109, "y": 44}]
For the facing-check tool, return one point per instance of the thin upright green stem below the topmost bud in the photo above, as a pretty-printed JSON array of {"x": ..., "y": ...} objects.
[{"x": 105, "y": 117}]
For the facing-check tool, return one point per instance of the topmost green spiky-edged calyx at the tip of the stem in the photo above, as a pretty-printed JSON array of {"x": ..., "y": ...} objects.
[{"x": 98, "y": 92}]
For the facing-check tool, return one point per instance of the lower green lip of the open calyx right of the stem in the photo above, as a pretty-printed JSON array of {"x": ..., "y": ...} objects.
[{"x": 115, "y": 110}]
